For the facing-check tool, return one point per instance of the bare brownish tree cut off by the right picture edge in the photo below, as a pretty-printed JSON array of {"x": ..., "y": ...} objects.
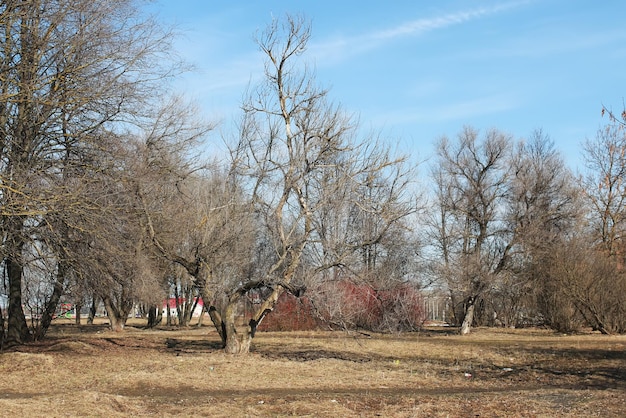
[{"x": 596, "y": 286}]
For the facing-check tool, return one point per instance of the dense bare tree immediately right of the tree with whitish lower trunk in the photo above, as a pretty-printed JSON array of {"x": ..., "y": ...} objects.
[{"x": 544, "y": 212}]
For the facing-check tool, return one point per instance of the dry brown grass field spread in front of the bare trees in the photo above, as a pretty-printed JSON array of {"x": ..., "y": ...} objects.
[{"x": 90, "y": 371}]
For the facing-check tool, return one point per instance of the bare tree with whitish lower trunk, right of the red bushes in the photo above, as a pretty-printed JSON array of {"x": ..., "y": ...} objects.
[{"x": 471, "y": 178}]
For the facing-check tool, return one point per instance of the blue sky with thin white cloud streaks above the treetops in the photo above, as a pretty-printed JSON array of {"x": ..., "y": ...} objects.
[{"x": 414, "y": 71}]
